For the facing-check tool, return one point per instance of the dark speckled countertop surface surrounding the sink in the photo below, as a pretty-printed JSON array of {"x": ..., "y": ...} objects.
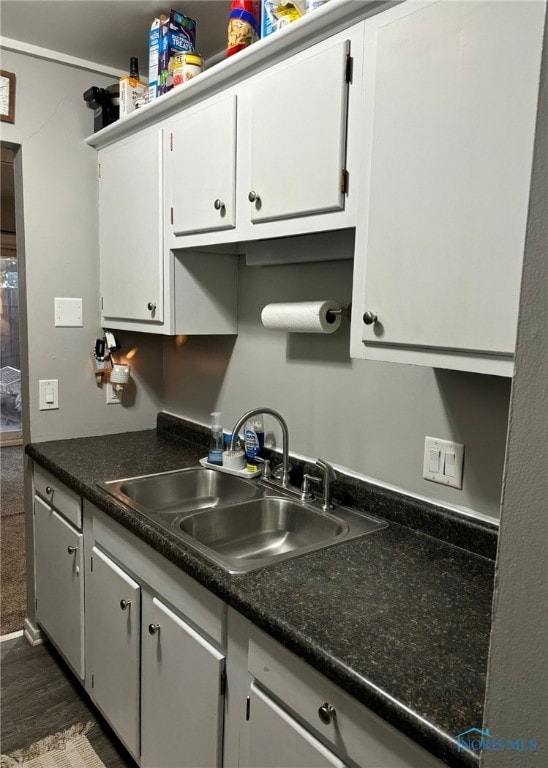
[{"x": 398, "y": 619}]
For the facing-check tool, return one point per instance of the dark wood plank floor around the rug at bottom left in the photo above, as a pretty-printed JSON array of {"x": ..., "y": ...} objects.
[{"x": 40, "y": 696}]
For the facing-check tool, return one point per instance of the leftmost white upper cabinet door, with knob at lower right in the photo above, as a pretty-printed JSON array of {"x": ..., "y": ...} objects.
[{"x": 130, "y": 228}]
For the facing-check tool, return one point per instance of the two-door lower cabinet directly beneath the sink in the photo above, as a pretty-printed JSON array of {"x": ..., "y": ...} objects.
[{"x": 154, "y": 645}]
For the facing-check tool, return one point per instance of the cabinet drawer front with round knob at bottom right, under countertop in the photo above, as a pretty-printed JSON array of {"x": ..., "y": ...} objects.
[{"x": 354, "y": 731}]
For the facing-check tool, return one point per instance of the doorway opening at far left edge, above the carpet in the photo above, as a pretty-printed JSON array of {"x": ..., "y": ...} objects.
[{"x": 10, "y": 356}]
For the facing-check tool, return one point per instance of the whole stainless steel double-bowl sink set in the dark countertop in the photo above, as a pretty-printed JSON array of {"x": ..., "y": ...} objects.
[{"x": 236, "y": 522}]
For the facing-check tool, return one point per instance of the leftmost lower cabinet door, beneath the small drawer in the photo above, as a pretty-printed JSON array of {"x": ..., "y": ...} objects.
[{"x": 59, "y": 582}]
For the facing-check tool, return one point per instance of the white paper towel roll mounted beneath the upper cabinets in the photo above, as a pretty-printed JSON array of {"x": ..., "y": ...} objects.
[{"x": 302, "y": 316}]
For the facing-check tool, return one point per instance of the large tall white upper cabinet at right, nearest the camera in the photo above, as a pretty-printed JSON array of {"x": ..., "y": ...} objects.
[{"x": 450, "y": 94}]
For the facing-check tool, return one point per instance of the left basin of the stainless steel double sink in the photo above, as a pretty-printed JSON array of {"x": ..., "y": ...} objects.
[{"x": 183, "y": 490}]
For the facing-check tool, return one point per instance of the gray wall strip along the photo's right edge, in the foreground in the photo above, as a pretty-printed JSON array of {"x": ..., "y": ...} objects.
[{"x": 516, "y": 705}]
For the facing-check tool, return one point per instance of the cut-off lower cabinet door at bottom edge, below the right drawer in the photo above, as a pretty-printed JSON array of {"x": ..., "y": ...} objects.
[{"x": 276, "y": 740}]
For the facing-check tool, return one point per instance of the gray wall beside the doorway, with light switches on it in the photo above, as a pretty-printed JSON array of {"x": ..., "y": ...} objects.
[{"x": 60, "y": 255}]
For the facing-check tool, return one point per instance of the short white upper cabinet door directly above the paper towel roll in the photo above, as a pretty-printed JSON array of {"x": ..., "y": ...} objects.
[{"x": 298, "y": 135}]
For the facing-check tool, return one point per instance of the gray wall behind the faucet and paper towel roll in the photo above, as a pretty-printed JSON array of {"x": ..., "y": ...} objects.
[{"x": 369, "y": 417}]
